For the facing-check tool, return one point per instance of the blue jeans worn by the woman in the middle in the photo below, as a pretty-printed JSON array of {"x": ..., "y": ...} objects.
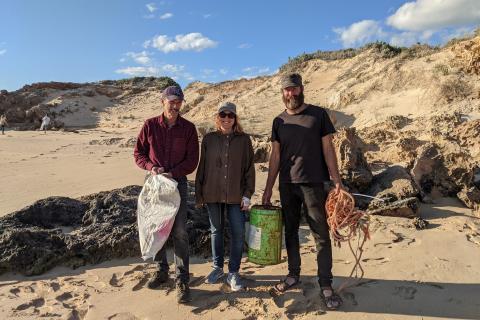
[{"x": 236, "y": 218}]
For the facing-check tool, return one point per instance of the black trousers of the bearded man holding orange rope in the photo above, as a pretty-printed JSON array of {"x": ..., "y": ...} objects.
[{"x": 312, "y": 196}]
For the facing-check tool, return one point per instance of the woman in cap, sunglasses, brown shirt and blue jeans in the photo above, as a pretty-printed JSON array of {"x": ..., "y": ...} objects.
[{"x": 225, "y": 182}]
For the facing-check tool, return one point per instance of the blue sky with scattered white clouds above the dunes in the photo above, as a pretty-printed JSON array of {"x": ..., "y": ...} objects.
[{"x": 207, "y": 40}]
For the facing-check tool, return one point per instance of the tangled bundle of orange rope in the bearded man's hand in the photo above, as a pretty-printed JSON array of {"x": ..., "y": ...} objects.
[{"x": 345, "y": 222}]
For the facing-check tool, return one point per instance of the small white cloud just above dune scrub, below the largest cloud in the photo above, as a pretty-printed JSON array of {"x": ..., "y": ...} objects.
[{"x": 360, "y": 33}]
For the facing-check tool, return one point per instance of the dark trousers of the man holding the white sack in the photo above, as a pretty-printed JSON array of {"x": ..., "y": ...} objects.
[{"x": 180, "y": 240}]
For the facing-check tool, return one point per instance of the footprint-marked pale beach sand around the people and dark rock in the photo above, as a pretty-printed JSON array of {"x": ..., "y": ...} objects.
[{"x": 409, "y": 273}]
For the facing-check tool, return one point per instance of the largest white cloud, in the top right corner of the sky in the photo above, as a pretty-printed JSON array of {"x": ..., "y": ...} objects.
[{"x": 423, "y": 15}]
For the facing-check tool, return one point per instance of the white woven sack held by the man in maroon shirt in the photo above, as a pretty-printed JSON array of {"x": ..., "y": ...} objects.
[{"x": 157, "y": 207}]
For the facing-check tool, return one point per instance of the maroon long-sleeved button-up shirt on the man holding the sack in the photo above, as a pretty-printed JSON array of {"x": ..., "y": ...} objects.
[{"x": 175, "y": 148}]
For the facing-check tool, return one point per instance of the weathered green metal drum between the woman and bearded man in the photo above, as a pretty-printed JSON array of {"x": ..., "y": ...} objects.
[{"x": 265, "y": 235}]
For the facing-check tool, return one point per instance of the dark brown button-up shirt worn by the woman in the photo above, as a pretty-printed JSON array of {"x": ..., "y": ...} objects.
[{"x": 226, "y": 172}]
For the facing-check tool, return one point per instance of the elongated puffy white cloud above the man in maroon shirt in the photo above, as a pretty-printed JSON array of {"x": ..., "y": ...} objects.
[{"x": 188, "y": 42}]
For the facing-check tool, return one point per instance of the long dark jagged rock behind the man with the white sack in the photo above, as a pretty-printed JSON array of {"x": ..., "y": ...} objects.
[{"x": 74, "y": 232}]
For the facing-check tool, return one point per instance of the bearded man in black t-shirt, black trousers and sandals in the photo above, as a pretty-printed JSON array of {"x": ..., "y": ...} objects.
[{"x": 303, "y": 154}]
